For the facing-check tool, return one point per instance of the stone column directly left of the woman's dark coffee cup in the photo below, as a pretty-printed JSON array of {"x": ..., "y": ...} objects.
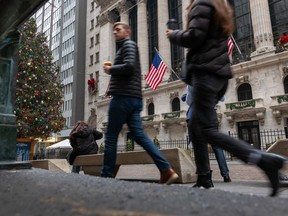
[{"x": 164, "y": 43}]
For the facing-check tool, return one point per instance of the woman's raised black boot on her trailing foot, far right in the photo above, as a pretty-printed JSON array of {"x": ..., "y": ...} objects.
[{"x": 271, "y": 164}]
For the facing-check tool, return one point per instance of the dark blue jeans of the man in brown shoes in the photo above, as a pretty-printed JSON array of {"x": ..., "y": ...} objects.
[{"x": 123, "y": 110}]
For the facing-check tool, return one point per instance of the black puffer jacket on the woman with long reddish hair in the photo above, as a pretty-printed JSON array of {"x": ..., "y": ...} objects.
[{"x": 207, "y": 44}]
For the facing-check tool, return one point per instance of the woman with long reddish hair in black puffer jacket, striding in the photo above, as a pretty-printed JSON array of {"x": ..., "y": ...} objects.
[{"x": 209, "y": 24}]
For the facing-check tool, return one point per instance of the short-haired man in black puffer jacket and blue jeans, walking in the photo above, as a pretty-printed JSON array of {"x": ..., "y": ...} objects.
[{"x": 126, "y": 105}]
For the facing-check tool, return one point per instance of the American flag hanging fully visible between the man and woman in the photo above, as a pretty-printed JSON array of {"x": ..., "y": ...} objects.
[{"x": 156, "y": 72}]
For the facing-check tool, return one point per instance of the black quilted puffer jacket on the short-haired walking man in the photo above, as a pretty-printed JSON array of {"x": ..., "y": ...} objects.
[{"x": 126, "y": 71}]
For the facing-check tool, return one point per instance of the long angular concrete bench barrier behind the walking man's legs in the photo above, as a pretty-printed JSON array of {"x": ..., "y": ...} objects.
[{"x": 138, "y": 165}]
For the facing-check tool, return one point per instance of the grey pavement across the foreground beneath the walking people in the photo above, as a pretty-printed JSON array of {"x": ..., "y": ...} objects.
[{"x": 42, "y": 192}]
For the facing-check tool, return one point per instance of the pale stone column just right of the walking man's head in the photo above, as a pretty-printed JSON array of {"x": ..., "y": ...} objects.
[{"x": 142, "y": 30}]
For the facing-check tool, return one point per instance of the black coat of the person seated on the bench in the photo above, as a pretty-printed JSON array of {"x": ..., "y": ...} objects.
[{"x": 84, "y": 141}]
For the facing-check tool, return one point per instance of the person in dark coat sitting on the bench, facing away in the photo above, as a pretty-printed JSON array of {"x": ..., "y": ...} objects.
[{"x": 83, "y": 141}]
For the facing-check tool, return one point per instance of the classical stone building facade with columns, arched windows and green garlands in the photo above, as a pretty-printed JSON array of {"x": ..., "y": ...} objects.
[{"x": 257, "y": 98}]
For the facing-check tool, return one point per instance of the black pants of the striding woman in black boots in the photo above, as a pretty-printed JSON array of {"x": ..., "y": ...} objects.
[{"x": 207, "y": 91}]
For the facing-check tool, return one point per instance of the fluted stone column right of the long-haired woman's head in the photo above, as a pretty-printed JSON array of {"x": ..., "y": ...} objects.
[{"x": 262, "y": 28}]
